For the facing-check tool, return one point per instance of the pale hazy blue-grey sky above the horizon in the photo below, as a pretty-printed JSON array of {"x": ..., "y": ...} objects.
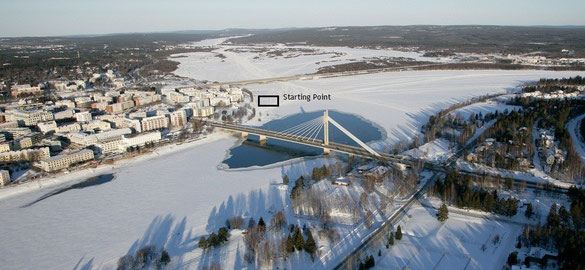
[{"x": 71, "y": 17}]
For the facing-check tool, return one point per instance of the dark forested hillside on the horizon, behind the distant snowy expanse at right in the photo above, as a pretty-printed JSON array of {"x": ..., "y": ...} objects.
[{"x": 481, "y": 39}]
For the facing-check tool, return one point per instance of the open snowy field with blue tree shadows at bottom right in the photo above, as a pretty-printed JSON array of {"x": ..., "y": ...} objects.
[{"x": 455, "y": 244}]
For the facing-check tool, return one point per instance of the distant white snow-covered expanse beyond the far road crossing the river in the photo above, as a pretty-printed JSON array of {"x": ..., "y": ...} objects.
[{"x": 234, "y": 63}]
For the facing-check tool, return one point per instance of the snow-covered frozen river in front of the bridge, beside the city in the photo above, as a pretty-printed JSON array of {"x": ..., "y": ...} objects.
[{"x": 167, "y": 201}]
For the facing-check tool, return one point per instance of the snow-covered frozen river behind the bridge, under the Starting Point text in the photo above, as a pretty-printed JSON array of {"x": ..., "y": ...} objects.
[{"x": 399, "y": 102}]
